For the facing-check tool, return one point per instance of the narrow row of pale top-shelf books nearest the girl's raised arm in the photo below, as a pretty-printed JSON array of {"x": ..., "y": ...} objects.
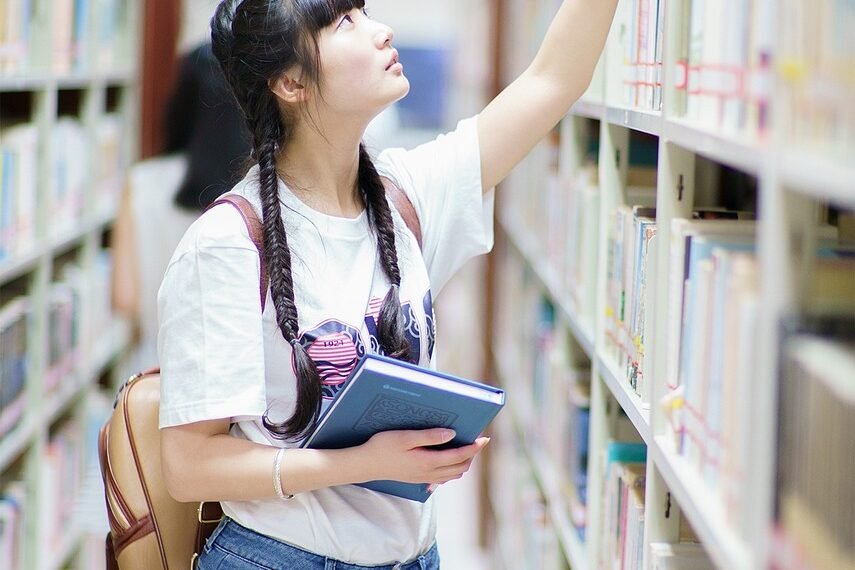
[{"x": 635, "y": 61}]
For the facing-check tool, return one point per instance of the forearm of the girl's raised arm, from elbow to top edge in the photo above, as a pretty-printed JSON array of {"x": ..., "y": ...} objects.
[{"x": 573, "y": 44}]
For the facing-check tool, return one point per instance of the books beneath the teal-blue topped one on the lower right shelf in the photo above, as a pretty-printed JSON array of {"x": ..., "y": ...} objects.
[{"x": 622, "y": 532}]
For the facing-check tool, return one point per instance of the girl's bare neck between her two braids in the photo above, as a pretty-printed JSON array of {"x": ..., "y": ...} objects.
[{"x": 321, "y": 165}]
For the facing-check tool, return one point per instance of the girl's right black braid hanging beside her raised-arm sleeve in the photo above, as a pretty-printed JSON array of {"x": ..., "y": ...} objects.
[{"x": 390, "y": 327}]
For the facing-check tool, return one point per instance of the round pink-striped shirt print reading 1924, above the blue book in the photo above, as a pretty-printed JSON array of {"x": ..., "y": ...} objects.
[{"x": 335, "y": 347}]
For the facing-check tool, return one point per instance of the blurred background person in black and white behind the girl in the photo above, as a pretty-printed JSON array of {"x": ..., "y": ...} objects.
[{"x": 206, "y": 148}]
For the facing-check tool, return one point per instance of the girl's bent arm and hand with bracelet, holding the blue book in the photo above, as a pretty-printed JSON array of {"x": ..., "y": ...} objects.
[{"x": 202, "y": 462}]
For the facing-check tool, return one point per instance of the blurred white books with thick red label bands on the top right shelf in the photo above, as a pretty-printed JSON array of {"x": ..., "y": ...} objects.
[{"x": 724, "y": 67}]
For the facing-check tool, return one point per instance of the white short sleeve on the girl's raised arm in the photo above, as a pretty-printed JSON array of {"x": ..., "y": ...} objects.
[{"x": 442, "y": 178}]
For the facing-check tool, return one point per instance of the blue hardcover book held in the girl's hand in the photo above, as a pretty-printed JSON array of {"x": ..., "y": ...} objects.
[{"x": 383, "y": 394}]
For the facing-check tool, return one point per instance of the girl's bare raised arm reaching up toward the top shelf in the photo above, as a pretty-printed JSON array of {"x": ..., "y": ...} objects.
[{"x": 512, "y": 124}]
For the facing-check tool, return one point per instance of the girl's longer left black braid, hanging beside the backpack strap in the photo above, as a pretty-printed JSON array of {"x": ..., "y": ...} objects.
[{"x": 278, "y": 261}]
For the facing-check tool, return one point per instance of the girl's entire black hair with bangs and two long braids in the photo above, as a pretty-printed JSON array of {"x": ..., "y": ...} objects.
[{"x": 256, "y": 41}]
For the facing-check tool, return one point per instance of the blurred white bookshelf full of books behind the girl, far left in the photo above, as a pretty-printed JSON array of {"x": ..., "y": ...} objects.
[{"x": 68, "y": 131}]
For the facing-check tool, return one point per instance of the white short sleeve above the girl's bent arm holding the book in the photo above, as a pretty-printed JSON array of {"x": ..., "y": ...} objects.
[{"x": 210, "y": 341}]
